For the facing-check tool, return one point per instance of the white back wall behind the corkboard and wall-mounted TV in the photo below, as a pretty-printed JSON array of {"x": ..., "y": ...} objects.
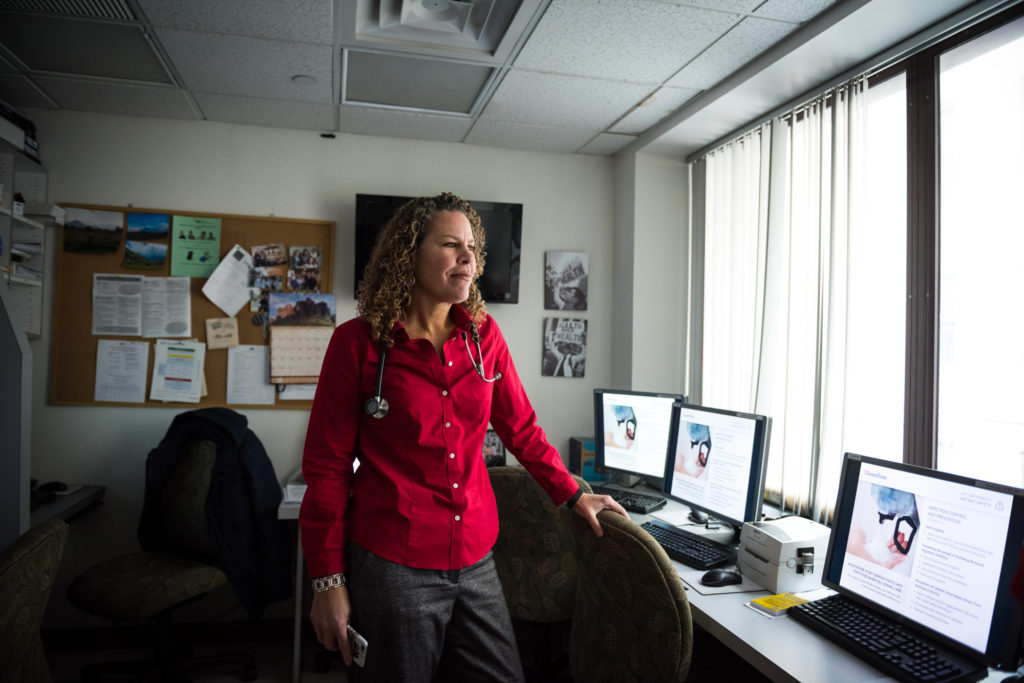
[{"x": 202, "y": 166}]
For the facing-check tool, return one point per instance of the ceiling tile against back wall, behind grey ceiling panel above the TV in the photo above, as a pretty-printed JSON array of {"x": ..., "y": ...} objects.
[{"x": 394, "y": 123}]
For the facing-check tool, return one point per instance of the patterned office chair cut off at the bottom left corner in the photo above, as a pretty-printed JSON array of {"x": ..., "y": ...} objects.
[{"x": 28, "y": 569}]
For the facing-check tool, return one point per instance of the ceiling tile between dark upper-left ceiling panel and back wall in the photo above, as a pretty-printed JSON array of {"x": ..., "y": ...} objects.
[{"x": 113, "y": 98}]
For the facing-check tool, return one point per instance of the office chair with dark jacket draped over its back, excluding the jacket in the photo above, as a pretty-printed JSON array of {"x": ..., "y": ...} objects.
[{"x": 151, "y": 586}]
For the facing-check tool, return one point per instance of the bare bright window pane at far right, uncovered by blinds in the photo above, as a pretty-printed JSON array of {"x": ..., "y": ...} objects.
[{"x": 982, "y": 240}]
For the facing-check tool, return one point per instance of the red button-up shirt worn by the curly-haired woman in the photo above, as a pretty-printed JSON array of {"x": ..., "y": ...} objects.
[{"x": 421, "y": 496}]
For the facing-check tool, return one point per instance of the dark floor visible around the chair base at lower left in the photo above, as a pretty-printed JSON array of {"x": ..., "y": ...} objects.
[{"x": 274, "y": 664}]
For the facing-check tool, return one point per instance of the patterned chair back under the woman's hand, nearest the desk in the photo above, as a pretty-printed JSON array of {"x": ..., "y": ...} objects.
[{"x": 632, "y": 620}]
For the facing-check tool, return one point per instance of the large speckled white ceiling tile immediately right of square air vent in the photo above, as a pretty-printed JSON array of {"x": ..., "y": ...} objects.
[{"x": 621, "y": 40}]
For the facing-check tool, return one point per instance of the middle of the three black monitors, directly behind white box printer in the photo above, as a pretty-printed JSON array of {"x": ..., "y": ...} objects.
[{"x": 718, "y": 463}]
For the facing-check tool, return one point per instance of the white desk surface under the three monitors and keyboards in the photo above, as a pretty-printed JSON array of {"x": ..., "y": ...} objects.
[{"x": 783, "y": 650}]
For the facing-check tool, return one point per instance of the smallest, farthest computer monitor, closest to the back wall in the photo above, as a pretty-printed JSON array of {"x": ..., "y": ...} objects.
[{"x": 633, "y": 433}]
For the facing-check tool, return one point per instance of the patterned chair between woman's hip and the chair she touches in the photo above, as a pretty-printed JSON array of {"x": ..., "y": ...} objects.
[{"x": 536, "y": 559}]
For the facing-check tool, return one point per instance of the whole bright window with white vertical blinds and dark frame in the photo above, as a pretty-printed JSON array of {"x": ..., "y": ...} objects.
[{"x": 885, "y": 317}]
